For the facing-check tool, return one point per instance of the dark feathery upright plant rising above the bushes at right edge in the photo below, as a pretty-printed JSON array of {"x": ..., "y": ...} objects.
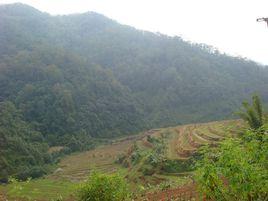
[{"x": 253, "y": 114}]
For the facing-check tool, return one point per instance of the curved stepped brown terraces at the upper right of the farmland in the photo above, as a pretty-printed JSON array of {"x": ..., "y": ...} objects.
[{"x": 185, "y": 140}]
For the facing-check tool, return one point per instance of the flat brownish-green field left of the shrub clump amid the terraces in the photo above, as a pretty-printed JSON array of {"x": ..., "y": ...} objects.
[{"x": 77, "y": 166}]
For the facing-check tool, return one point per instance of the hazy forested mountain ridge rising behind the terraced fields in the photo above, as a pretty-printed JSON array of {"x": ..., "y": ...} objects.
[{"x": 74, "y": 77}]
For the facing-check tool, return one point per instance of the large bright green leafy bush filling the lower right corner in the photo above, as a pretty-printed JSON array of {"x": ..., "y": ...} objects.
[{"x": 237, "y": 170}]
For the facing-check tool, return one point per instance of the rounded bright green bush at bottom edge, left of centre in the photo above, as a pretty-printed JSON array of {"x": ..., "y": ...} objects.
[{"x": 103, "y": 187}]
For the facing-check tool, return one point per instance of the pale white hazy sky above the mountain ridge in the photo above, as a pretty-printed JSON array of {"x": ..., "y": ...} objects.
[{"x": 229, "y": 25}]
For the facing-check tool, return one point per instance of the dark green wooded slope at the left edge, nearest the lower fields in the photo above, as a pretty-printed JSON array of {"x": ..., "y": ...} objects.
[{"x": 23, "y": 150}]
